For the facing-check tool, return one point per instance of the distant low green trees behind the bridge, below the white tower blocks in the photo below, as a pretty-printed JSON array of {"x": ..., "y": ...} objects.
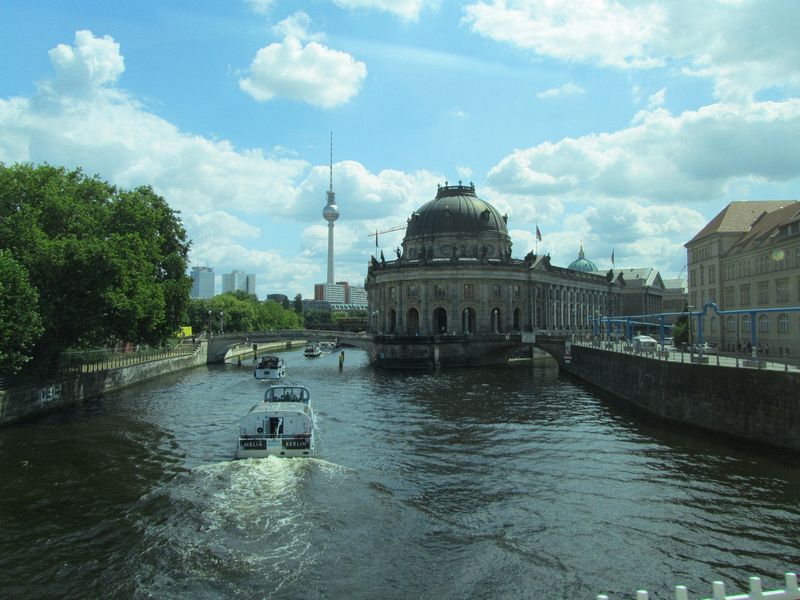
[{"x": 239, "y": 311}]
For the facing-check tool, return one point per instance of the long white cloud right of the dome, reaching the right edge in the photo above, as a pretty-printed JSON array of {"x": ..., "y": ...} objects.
[{"x": 694, "y": 156}]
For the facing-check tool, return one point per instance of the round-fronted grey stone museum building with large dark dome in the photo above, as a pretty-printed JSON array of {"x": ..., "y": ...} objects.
[{"x": 455, "y": 296}]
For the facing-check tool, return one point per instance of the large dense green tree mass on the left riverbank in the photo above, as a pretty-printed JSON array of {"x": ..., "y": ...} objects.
[{"x": 108, "y": 264}]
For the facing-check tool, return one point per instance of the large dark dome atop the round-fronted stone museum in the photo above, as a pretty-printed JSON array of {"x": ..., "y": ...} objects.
[{"x": 456, "y": 210}]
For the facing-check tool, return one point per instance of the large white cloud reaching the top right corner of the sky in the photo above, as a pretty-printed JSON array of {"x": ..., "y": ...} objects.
[{"x": 742, "y": 46}]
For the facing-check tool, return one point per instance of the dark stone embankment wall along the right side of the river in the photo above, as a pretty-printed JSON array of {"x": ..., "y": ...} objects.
[{"x": 754, "y": 404}]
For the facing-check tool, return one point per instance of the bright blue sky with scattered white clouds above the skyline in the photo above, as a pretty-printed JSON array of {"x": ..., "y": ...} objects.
[{"x": 620, "y": 126}]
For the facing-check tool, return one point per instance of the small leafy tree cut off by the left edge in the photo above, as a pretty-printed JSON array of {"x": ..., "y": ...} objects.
[{"x": 20, "y": 323}]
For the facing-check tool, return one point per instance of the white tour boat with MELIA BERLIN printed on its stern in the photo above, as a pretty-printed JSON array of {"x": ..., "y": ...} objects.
[{"x": 281, "y": 425}]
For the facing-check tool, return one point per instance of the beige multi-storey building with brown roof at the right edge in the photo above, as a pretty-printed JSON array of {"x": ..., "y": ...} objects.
[{"x": 745, "y": 259}]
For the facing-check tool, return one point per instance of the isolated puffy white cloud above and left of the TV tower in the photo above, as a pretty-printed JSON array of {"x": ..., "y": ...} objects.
[{"x": 312, "y": 73}]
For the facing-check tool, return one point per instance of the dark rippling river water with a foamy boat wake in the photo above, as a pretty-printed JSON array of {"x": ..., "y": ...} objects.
[{"x": 490, "y": 483}]
